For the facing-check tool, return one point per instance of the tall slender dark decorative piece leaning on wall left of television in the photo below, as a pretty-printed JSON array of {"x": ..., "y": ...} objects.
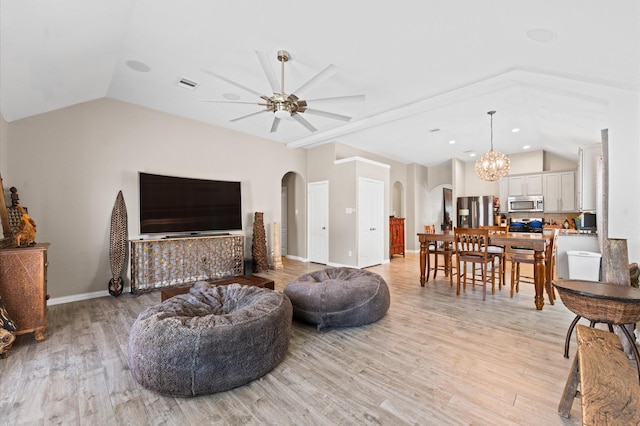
[{"x": 117, "y": 244}]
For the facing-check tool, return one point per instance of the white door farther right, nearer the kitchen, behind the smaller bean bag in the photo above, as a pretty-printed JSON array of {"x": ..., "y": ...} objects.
[{"x": 370, "y": 222}]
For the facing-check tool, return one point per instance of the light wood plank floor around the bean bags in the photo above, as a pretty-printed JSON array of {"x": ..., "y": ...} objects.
[{"x": 434, "y": 359}]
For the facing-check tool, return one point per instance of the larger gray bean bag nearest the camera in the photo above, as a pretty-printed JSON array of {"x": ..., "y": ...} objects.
[{"x": 210, "y": 340}]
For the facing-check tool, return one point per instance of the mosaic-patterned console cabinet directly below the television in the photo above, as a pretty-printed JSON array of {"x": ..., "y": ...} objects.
[{"x": 170, "y": 262}]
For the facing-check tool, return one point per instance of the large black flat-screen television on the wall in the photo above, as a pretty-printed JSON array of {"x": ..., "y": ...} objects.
[{"x": 177, "y": 204}]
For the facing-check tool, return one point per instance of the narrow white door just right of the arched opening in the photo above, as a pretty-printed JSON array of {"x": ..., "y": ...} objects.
[{"x": 319, "y": 222}]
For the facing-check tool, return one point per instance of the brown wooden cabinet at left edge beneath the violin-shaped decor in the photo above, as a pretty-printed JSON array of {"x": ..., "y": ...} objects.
[{"x": 23, "y": 287}]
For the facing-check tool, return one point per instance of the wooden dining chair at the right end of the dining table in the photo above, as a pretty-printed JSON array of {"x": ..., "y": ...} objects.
[{"x": 518, "y": 256}]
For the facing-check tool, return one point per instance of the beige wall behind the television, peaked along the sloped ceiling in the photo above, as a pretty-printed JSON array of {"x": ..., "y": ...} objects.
[{"x": 69, "y": 165}]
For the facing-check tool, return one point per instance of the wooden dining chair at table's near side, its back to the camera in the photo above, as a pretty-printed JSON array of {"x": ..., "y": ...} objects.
[{"x": 472, "y": 246}]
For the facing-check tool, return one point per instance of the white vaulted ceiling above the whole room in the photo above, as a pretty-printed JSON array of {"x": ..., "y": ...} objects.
[{"x": 422, "y": 65}]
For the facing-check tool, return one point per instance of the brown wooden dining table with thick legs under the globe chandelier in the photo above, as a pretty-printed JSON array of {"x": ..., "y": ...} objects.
[{"x": 538, "y": 242}]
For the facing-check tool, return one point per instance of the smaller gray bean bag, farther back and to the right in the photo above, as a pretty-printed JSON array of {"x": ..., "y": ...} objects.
[{"x": 339, "y": 297}]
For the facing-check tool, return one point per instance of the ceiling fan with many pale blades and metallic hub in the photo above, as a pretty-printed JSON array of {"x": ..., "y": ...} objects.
[{"x": 283, "y": 104}]
